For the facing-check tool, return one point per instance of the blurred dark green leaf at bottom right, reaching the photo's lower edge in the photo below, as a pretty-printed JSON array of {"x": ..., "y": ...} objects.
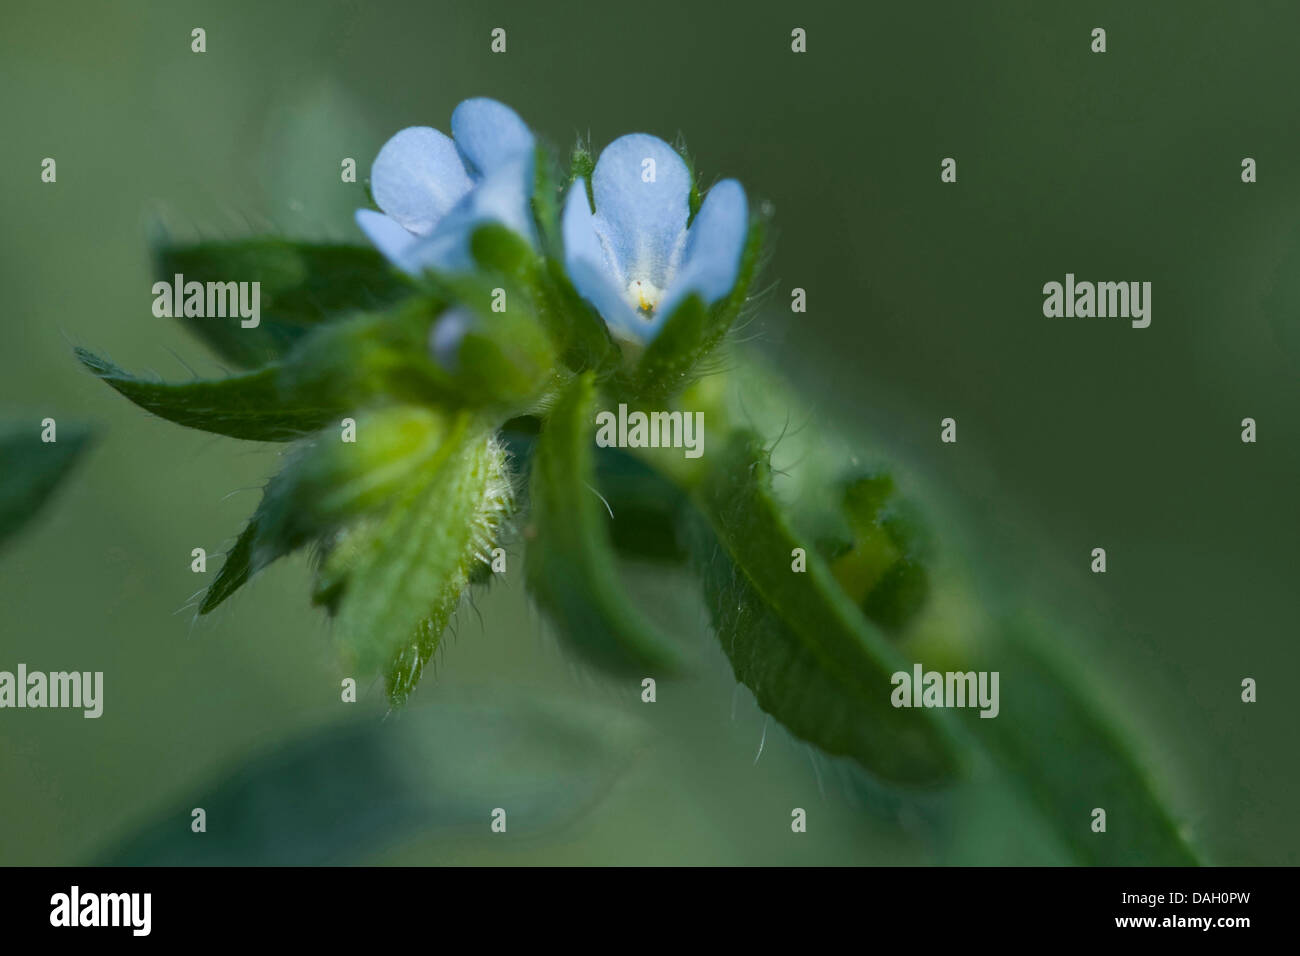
[{"x": 1058, "y": 745}]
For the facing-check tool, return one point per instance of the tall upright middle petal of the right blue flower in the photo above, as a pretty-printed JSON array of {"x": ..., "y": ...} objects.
[{"x": 642, "y": 223}]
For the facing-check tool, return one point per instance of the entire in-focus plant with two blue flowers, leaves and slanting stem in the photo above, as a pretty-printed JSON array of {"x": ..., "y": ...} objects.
[{"x": 443, "y": 391}]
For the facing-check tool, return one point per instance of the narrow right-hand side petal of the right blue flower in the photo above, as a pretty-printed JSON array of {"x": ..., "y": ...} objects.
[{"x": 716, "y": 245}]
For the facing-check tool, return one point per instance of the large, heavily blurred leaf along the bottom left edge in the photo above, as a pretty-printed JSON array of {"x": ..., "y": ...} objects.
[{"x": 348, "y": 793}]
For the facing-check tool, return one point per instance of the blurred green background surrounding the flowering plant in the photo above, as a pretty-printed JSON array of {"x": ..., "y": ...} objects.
[{"x": 925, "y": 301}]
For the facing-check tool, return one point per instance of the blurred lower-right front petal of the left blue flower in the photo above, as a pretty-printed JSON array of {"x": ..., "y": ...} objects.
[{"x": 501, "y": 197}]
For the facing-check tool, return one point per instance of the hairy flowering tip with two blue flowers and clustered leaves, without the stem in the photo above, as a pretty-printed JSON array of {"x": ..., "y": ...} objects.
[{"x": 427, "y": 378}]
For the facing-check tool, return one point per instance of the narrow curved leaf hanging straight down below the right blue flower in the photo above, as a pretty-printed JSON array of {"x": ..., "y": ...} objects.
[{"x": 570, "y": 564}]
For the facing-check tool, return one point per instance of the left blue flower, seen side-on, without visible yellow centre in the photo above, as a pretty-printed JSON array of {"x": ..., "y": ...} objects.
[{"x": 435, "y": 191}]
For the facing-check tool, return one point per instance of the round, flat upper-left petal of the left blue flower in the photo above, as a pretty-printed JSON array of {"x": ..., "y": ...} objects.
[{"x": 418, "y": 178}]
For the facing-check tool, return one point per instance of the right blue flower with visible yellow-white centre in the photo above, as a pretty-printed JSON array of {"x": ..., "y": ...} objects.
[{"x": 634, "y": 258}]
